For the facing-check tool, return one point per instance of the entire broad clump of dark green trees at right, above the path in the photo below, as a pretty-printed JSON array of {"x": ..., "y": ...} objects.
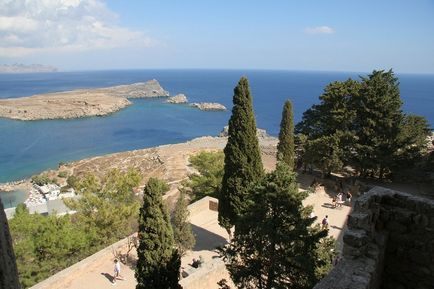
[{"x": 360, "y": 123}]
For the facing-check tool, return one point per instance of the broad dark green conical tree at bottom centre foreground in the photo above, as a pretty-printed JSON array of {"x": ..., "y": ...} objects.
[{"x": 275, "y": 244}]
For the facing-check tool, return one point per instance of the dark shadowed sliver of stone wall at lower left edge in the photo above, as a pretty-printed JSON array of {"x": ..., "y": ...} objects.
[{"x": 8, "y": 267}]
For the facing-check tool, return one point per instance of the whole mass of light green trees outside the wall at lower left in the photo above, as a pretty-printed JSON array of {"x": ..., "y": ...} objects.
[{"x": 106, "y": 212}]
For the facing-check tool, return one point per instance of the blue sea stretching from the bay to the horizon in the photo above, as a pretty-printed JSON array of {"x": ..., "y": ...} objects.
[{"x": 29, "y": 147}]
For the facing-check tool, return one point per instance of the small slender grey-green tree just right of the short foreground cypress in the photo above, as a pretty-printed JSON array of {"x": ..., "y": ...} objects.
[{"x": 182, "y": 232}]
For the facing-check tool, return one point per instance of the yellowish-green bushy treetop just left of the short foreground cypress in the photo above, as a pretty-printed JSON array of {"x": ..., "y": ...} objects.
[{"x": 108, "y": 209}]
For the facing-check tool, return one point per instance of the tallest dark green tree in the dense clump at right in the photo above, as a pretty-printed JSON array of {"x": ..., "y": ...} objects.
[{"x": 377, "y": 123}]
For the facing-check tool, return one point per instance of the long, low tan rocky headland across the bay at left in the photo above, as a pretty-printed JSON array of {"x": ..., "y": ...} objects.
[{"x": 78, "y": 103}]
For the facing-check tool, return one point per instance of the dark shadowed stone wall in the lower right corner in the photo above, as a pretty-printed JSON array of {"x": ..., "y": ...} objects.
[{"x": 389, "y": 244}]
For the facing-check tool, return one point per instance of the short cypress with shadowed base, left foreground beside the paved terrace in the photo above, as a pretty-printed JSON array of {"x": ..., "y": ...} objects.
[{"x": 158, "y": 262}]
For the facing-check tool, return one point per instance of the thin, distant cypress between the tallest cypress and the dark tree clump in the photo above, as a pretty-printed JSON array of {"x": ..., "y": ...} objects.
[{"x": 285, "y": 147}]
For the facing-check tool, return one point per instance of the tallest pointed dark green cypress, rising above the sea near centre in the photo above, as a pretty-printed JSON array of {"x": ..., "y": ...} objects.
[{"x": 243, "y": 164}]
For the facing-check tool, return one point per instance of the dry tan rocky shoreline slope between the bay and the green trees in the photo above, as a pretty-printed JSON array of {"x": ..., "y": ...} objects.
[{"x": 169, "y": 162}]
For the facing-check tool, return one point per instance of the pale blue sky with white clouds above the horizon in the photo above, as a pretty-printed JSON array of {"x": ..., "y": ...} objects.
[{"x": 333, "y": 35}]
